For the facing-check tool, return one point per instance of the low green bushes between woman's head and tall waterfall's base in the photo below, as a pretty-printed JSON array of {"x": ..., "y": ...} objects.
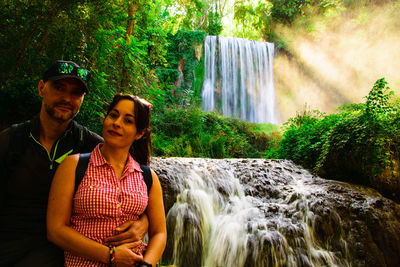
[{"x": 193, "y": 133}]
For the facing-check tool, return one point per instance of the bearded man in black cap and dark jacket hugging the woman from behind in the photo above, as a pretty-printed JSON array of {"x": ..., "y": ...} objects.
[{"x": 29, "y": 156}]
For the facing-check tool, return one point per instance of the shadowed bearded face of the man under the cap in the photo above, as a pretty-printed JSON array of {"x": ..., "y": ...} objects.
[{"x": 61, "y": 99}]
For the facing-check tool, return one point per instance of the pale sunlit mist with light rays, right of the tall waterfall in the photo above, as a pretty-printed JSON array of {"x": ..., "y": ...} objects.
[{"x": 336, "y": 59}]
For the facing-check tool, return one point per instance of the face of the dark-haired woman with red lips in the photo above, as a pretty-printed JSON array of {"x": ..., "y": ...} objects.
[{"x": 119, "y": 128}]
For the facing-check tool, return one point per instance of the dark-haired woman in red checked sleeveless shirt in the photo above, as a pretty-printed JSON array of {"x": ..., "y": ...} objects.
[{"x": 111, "y": 192}]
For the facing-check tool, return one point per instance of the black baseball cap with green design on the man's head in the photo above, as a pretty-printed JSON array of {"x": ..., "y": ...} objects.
[{"x": 67, "y": 69}]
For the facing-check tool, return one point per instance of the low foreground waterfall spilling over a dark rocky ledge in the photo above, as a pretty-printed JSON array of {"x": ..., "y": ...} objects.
[{"x": 257, "y": 212}]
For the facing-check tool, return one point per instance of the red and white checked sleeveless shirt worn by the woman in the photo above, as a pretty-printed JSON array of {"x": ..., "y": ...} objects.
[{"x": 102, "y": 202}]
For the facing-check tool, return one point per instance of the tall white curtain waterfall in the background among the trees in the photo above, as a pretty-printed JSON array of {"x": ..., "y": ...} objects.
[{"x": 238, "y": 79}]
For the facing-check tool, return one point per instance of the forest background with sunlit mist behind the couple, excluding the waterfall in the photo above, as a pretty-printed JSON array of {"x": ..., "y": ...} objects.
[{"x": 154, "y": 49}]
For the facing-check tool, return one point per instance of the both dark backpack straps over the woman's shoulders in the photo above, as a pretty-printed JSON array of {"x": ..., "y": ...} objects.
[{"x": 84, "y": 162}]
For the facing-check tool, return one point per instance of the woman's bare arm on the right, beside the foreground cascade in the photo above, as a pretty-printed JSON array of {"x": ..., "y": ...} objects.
[{"x": 157, "y": 225}]
